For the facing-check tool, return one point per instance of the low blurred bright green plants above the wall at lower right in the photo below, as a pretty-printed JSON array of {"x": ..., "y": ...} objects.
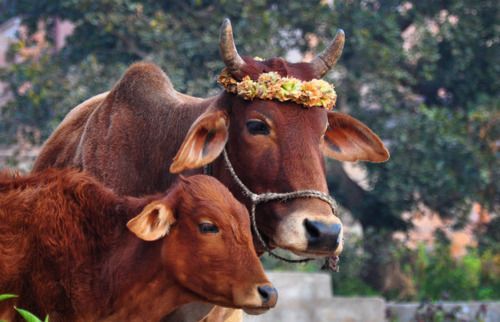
[{"x": 423, "y": 274}]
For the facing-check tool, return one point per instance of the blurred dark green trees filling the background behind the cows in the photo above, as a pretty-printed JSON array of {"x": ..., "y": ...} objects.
[{"x": 422, "y": 74}]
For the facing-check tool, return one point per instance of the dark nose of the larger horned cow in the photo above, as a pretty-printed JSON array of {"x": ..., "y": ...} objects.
[{"x": 321, "y": 236}]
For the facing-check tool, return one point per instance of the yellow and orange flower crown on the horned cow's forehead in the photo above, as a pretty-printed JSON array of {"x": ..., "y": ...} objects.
[{"x": 271, "y": 86}]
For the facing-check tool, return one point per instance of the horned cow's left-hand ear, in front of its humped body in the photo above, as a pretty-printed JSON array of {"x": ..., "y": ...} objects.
[{"x": 204, "y": 141}]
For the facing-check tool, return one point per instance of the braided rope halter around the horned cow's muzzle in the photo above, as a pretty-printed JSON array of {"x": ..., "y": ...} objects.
[{"x": 271, "y": 196}]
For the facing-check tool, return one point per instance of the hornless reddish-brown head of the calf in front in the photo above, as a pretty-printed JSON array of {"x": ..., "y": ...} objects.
[{"x": 208, "y": 245}]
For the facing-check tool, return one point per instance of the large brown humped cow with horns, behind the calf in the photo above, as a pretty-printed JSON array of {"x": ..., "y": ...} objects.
[{"x": 129, "y": 136}]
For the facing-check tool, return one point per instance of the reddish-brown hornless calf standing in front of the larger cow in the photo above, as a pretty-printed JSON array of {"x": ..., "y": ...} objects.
[{"x": 66, "y": 251}]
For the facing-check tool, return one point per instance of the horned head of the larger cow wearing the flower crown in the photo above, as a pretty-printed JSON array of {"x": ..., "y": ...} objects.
[{"x": 279, "y": 147}]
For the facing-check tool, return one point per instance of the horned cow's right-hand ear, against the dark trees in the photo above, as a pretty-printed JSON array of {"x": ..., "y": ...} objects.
[{"x": 348, "y": 139}]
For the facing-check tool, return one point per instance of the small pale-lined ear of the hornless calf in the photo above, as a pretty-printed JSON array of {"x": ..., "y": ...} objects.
[{"x": 153, "y": 222}]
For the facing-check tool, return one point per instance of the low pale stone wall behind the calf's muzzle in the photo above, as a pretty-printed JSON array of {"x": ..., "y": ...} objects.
[{"x": 307, "y": 297}]
